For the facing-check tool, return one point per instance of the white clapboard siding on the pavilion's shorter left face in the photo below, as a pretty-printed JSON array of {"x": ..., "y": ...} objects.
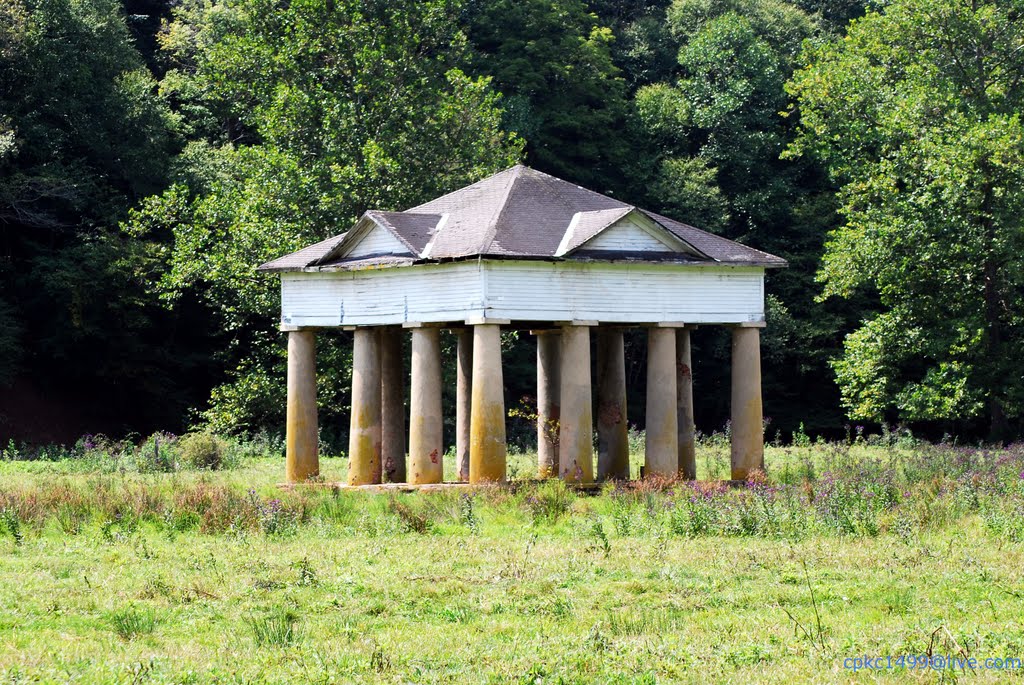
[{"x": 429, "y": 293}]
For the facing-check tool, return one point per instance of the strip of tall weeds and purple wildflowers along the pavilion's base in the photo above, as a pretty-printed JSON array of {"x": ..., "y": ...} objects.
[{"x": 832, "y": 489}]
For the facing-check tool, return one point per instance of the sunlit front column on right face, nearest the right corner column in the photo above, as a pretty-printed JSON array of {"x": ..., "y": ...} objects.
[{"x": 662, "y": 449}]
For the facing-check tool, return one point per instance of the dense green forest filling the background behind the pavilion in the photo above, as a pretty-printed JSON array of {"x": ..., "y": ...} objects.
[{"x": 153, "y": 153}]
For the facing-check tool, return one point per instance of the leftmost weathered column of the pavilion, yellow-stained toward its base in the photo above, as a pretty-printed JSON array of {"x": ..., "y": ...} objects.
[{"x": 302, "y": 452}]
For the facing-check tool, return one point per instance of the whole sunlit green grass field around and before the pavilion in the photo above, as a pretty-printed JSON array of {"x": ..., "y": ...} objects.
[{"x": 113, "y": 574}]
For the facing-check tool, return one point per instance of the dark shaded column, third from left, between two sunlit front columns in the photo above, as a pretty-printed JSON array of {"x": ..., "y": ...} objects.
[{"x": 393, "y": 406}]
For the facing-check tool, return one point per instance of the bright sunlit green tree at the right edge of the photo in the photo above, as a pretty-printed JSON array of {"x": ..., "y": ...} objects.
[{"x": 917, "y": 114}]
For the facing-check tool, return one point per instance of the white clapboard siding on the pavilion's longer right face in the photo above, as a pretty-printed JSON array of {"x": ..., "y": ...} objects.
[{"x": 624, "y": 293}]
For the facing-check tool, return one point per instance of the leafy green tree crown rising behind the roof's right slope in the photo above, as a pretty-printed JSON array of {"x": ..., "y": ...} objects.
[{"x": 718, "y": 126}]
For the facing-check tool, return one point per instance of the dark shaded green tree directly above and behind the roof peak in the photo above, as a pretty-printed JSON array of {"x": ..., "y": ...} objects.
[{"x": 564, "y": 94}]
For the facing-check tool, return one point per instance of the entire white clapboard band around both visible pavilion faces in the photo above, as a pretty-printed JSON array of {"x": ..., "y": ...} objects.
[{"x": 526, "y": 291}]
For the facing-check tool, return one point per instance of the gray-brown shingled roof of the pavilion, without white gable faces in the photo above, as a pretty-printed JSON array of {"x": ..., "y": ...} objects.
[{"x": 521, "y": 213}]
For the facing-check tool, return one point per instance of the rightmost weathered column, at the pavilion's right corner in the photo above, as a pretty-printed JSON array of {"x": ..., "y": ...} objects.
[{"x": 748, "y": 427}]
